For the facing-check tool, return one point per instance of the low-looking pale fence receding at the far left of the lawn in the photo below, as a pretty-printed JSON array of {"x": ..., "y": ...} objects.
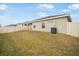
[{"x": 12, "y": 29}]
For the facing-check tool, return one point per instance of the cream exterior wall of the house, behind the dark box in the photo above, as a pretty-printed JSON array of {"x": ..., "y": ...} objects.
[{"x": 51, "y": 23}]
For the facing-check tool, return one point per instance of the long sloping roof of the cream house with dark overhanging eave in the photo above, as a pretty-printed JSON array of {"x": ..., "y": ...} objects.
[{"x": 49, "y": 17}]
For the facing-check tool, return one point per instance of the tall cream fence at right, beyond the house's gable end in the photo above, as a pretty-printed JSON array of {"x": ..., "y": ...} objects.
[{"x": 73, "y": 28}]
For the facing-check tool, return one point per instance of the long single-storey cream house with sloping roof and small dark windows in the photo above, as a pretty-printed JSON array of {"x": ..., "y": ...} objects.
[{"x": 49, "y": 24}]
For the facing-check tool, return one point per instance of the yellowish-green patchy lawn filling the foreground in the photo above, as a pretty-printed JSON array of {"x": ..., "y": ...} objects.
[{"x": 38, "y": 43}]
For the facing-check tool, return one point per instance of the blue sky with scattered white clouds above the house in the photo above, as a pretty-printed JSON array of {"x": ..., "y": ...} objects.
[{"x": 12, "y": 13}]
